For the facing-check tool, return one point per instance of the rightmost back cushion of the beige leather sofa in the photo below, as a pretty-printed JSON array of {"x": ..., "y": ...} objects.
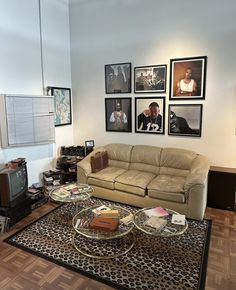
[{"x": 176, "y": 162}]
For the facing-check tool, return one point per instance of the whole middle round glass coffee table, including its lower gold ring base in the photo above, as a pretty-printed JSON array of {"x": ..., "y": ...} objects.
[{"x": 102, "y": 244}]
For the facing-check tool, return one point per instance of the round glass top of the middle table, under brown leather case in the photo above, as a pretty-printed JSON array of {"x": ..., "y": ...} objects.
[{"x": 81, "y": 223}]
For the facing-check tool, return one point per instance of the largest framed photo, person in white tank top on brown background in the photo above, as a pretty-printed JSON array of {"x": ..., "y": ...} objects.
[{"x": 187, "y": 78}]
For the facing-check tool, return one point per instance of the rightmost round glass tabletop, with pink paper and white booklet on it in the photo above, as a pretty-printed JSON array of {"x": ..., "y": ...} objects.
[{"x": 140, "y": 218}]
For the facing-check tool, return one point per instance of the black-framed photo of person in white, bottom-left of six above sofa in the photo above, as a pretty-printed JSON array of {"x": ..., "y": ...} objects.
[{"x": 118, "y": 114}]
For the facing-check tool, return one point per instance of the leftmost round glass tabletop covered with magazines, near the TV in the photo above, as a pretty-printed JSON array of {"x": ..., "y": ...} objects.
[{"x": 71, "y": 192}]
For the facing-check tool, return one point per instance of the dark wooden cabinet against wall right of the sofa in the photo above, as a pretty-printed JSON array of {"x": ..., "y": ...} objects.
[{"x": 221, "y": 188}]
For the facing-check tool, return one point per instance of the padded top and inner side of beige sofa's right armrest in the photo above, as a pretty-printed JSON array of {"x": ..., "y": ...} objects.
[{"x": 198, "y": 173}]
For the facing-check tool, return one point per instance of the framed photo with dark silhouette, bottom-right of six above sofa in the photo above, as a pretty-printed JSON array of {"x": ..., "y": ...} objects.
[{"x": 185, "y": 120}]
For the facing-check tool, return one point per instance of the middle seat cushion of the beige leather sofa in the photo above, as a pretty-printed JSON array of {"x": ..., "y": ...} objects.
[{"x": 134, "y": 181}]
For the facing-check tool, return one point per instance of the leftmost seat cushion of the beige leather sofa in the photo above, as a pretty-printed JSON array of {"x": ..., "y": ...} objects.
[{"x": 105, "y": 178}]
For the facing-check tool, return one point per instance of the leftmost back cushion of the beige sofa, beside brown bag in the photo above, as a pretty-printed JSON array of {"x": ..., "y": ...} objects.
[{"x": 119, "y": 155}]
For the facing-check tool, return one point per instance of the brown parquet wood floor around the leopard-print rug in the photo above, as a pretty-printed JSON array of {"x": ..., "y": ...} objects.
[{"x": 20, "y": 270}]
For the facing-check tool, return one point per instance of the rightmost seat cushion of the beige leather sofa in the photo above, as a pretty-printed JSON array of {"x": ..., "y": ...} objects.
[{"x": 167, "y": 187}]
